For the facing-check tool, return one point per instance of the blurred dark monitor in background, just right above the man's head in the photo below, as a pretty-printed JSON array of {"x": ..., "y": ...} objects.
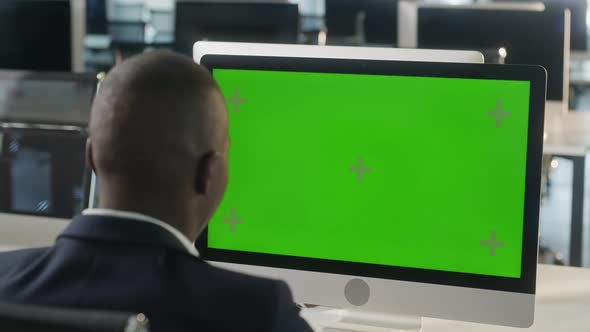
[{"x": 238, "y": 22}]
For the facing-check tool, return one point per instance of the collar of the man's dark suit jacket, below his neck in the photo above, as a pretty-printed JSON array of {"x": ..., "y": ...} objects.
[{"x": 121, "y": 230}]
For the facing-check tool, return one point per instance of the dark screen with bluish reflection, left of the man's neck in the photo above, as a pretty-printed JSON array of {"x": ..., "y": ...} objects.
[{"x": 42, "y": 172}]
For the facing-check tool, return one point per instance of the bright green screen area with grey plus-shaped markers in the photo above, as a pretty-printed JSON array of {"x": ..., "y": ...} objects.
[{"x": 418, "y": 172}]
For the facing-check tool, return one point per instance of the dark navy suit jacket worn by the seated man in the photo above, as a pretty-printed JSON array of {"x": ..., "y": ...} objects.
[{"x": 123, "y": 264}]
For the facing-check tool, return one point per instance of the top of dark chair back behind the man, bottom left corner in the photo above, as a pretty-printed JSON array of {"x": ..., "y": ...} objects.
[{"x": 25, "y": 318}]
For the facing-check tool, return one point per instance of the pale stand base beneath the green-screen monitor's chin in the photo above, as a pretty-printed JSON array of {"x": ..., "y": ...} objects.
[{"x": 345, "y": 320}]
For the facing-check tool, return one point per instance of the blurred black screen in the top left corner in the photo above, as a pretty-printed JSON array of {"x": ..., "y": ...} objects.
[{"x": 35, "y": 35}]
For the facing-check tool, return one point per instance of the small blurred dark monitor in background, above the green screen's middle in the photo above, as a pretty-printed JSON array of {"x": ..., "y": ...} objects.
[{"x": 361, "y": 22}]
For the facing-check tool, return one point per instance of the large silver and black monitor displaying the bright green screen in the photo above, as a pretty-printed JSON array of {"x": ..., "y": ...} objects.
[{"x": 403, "y": 188}]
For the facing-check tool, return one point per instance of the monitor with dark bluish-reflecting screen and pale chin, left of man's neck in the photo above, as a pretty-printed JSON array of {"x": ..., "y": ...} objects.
[{"x": 43, "y": 179}]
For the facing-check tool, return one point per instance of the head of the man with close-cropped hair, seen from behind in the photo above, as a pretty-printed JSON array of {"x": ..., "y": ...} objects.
[{"x": 158, "y": 140}]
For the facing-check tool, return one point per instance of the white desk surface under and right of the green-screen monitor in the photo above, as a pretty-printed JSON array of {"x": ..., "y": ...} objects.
[{"x": 562, "y": 304}]
